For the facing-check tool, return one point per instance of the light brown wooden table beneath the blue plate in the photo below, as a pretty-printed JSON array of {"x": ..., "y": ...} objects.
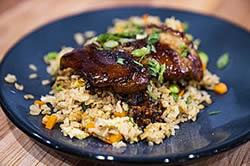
[{"x": 19, "y": 17}]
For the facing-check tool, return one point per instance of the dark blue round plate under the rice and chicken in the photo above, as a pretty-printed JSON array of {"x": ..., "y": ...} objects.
[{"x": 207, "y": 136}]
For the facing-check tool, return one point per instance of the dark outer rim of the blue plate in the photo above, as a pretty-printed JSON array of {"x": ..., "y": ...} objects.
[{"x": 170, "y": 159}]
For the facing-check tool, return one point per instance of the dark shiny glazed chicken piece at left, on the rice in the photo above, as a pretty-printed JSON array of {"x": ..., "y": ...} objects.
[{"x": 101, "y": 69}]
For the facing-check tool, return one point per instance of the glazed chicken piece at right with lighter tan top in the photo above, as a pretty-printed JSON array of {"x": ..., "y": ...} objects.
[{"x": 168, "y": 52}]
